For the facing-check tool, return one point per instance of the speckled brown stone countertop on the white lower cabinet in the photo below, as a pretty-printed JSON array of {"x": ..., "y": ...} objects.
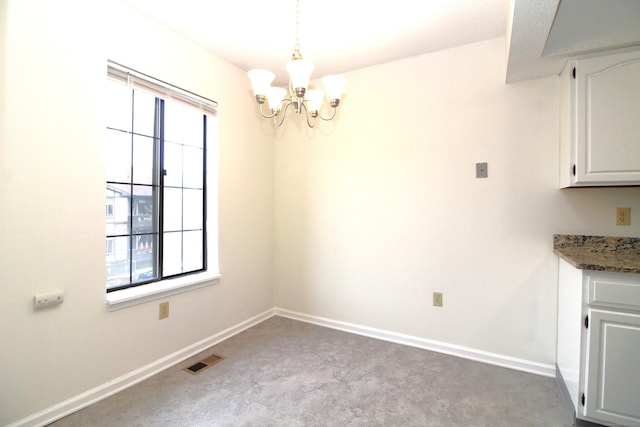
[{"x": 617, "y": 254}]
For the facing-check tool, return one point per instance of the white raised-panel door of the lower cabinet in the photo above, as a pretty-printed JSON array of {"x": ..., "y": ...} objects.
[{"x": 612, "y": 388}]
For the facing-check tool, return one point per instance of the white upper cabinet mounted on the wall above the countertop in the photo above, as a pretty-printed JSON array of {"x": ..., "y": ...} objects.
[{"x": 600, "y": 123}]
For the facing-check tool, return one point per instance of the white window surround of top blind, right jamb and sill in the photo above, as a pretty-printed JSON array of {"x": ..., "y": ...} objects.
[{"x": 156, "y": 290}]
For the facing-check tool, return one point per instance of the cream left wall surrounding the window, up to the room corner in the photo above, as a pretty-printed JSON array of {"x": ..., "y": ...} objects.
[{"x": 53, "y": 59}]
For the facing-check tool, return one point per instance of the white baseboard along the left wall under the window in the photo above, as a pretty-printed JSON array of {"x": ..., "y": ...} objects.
[{"x": 107, "y": 389}]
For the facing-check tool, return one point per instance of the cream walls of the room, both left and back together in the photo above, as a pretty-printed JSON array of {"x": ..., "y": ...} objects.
[{"x": 373, "y": 212}]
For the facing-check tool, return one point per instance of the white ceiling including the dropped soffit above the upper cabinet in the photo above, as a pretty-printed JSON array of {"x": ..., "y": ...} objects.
[{"x": 344, "y": 35}]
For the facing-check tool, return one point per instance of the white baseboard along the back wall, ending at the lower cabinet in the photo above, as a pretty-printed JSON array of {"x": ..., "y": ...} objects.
[{"x": 547, "y": 370}]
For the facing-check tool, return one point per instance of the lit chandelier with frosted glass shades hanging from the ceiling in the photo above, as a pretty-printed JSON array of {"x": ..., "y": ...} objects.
[{"x": 300, "y": 97}]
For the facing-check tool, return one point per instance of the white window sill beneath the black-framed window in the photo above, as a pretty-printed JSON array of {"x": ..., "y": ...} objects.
[{"x": 145, "y": 293}]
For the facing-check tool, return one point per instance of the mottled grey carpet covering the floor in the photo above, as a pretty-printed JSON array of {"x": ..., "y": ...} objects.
[{"x": 288, "y": 373}]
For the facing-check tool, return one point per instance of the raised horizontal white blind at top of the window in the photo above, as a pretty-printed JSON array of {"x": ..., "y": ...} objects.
[{"x": 137, "y": 79}]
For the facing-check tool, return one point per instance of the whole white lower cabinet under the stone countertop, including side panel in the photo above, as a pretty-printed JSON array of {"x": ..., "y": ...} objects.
[{"x": 600, "y": 369}]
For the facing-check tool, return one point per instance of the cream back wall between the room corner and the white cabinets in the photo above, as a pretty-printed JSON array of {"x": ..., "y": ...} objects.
[{"x": 381, "y": 208}]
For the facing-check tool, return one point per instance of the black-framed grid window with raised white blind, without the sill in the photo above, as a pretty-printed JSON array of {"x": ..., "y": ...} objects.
[{"x": 157, "y": 198}]
